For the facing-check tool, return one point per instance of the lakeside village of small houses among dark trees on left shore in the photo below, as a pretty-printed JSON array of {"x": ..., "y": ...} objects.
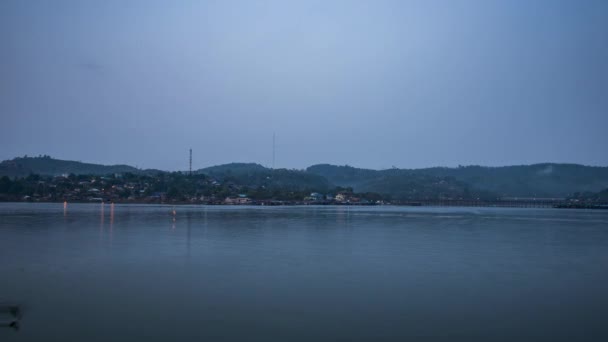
[{"x": 169, "y": 188}]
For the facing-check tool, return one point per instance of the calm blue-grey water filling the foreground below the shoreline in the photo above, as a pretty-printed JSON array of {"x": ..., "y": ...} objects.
[{"x": 130, "y": 272}]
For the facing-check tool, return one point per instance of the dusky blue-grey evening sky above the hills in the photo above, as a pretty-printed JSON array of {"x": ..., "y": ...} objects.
[{"x": 373, "y": 84}]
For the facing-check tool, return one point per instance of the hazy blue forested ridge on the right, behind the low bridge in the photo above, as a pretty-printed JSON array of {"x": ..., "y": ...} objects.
[{"x": 538, "y": 180}]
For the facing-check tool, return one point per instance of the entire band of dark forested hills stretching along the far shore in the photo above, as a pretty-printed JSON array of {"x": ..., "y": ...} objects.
[{"x": 260, "y": 183}]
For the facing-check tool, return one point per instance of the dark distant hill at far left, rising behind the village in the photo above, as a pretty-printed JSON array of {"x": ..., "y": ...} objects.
[{"x": 45, "y": 165}]
